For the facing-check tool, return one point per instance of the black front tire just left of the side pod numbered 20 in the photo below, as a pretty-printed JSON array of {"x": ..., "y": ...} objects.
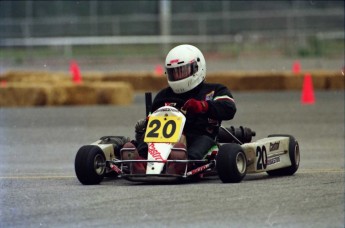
[{"x": 231, "y": 163}]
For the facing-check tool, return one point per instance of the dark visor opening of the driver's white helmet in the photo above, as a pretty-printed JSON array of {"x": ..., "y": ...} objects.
[{"x": 182, "y": 72}]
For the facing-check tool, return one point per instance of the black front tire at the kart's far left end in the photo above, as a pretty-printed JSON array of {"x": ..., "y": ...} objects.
[{"x": 90, "y": 165}]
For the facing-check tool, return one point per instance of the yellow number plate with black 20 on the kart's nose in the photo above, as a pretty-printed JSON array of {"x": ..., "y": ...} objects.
[{"x": 163, "y": 129}]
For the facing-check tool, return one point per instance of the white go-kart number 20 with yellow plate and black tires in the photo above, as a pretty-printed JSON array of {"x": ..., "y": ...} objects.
[{"x": 233, "y": 156}]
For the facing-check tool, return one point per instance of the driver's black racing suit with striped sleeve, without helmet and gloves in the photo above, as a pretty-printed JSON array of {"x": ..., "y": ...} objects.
[{"x": 200, "y": 129}]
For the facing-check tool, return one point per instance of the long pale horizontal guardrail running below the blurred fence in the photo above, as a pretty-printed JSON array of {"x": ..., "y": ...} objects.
[{"x": 117, "y": 40}]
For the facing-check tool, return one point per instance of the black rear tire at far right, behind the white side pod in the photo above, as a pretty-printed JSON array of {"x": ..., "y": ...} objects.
[{"x": 294, "y": 155}]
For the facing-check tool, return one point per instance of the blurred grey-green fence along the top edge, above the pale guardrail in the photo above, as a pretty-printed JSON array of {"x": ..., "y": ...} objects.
[{"x": 27, "y": 19}]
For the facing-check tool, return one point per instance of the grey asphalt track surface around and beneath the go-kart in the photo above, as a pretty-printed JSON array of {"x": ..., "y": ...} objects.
[{"x": 39, "y": 187}]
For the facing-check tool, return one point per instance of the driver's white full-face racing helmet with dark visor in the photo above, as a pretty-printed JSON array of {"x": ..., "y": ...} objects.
[{"x": 185, "y": 67}]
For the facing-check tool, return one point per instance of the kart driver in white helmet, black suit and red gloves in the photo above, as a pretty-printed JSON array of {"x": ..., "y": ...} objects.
[{"x": 206, "y": 104}]
